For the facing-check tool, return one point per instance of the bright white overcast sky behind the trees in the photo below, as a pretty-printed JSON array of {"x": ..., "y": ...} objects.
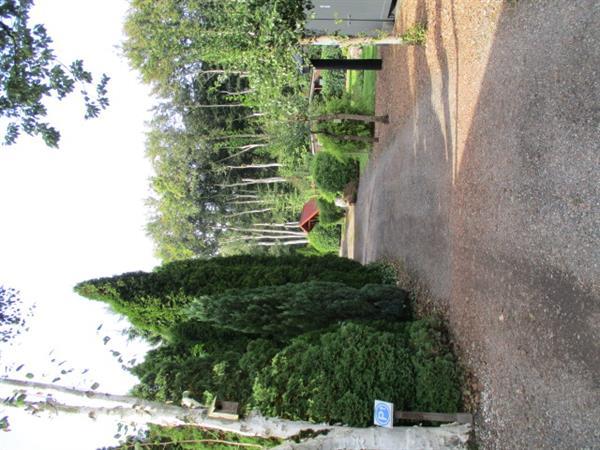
[{"x": 72, "y": 214}]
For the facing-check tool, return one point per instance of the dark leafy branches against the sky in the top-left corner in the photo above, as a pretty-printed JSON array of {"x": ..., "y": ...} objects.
[{"x": 31, "y": 72}]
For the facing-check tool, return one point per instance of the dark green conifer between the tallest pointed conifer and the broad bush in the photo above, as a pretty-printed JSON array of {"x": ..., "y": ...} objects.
[{"x": 279, "y": 313}]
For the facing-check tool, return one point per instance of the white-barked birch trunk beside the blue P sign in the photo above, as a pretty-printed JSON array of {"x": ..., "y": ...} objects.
[{"x": 144, "y": 412}]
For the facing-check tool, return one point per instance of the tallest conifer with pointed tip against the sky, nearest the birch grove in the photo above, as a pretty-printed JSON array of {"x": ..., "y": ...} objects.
[{"x": 155, "y": 301}]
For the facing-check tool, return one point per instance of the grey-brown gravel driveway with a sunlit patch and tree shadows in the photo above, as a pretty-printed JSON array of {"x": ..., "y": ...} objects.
[{"x": 486, "y": 185}]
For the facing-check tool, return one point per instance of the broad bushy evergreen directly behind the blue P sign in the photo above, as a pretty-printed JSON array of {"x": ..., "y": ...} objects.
[{"x": 337, "y": 375}]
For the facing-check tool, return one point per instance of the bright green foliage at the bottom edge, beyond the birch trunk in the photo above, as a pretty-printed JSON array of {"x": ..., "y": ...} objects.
[{"x": 191, "y": 438}]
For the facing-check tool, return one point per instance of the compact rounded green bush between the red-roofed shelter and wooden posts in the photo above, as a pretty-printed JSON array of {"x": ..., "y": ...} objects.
[{"x": 332, "y": 174}]
